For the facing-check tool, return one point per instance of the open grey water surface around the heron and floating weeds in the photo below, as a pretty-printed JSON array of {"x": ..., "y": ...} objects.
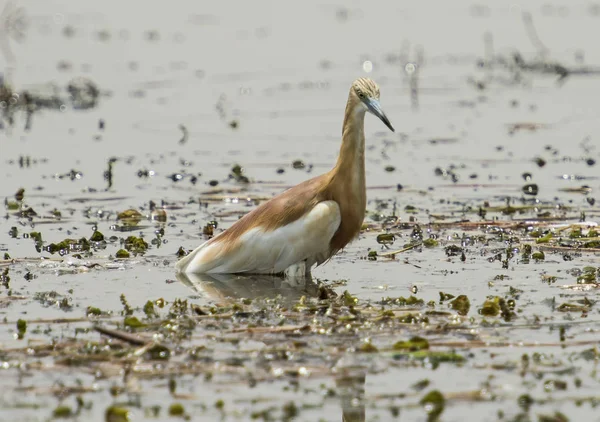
[{"x": 280, "y": 73}]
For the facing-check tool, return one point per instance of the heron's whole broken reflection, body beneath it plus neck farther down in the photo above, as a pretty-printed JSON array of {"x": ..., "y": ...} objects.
[{"x": 350, "y": 380}]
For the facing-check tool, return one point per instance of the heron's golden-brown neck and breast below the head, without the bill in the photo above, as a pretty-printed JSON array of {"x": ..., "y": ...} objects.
[{"x": 347, "y": 178}]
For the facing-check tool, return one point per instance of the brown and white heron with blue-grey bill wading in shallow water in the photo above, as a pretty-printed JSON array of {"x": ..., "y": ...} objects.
[{"x": 306, "y": 224}]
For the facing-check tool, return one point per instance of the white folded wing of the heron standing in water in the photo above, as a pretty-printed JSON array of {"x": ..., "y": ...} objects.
[{"x": 260, "y": 251}]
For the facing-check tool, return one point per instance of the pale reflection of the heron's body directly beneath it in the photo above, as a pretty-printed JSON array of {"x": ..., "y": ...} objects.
[{"x": 252, "y": 286}]
